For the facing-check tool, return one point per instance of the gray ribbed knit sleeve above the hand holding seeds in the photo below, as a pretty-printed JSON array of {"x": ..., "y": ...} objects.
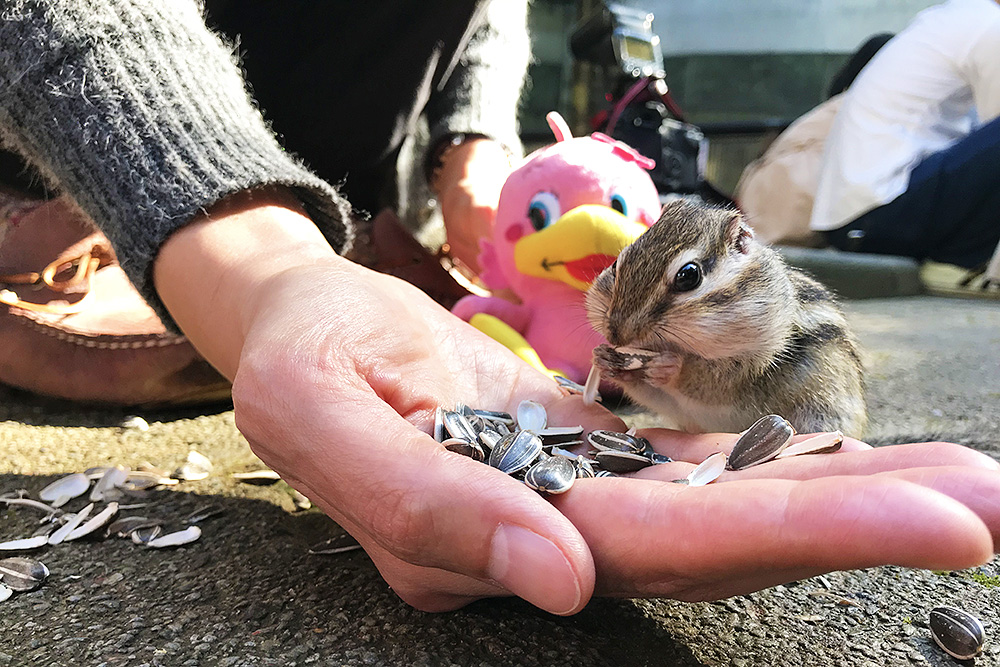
[{"x": 139, "y": 113}]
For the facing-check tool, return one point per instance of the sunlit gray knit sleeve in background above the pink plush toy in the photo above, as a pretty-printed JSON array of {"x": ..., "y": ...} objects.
[{"x": 482, "y": 93}]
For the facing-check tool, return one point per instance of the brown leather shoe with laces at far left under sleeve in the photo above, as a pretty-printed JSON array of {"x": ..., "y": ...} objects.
[{"x": 73, "y": 326}]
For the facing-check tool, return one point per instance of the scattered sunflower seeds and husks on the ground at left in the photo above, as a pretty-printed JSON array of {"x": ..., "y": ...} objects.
[{"x": 100, "y": 493}]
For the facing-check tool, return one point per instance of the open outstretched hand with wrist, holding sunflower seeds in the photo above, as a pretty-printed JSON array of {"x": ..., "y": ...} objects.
[{"x": 338, "y": 371}]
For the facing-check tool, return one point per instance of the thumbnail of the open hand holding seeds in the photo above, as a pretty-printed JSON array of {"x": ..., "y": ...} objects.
[{"x": 533, "y": 568}]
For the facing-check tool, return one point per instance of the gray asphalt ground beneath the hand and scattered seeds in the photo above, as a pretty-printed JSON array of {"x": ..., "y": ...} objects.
[{"x": 250, "y": 593}]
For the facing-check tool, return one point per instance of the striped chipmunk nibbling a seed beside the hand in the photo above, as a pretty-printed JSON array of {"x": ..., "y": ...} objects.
[{"x": 711, "y": 329}]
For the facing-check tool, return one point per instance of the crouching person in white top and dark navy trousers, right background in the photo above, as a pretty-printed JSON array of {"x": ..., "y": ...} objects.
[{"x": 910, "y": 165}]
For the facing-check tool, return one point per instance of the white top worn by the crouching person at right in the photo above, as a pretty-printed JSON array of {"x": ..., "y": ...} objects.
[{"x": 918, "y": 95}]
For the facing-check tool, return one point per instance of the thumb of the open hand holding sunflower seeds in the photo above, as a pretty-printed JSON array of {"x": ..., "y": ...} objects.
[{"x": 432, "y": 508}]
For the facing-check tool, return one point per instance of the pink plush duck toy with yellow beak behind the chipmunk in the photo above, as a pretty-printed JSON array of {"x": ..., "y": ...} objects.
[{"x": 563, "y": 216}]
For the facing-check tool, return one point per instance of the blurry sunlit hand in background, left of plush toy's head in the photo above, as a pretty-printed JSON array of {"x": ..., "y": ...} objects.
[{"x": 468, "y": 187}]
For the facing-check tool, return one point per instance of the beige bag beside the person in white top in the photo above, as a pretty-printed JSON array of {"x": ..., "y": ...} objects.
[{"x": 776, "y": 190}]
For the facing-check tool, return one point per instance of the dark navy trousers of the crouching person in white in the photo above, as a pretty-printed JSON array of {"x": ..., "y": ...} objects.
[{"x": 949, "y": 213}]
